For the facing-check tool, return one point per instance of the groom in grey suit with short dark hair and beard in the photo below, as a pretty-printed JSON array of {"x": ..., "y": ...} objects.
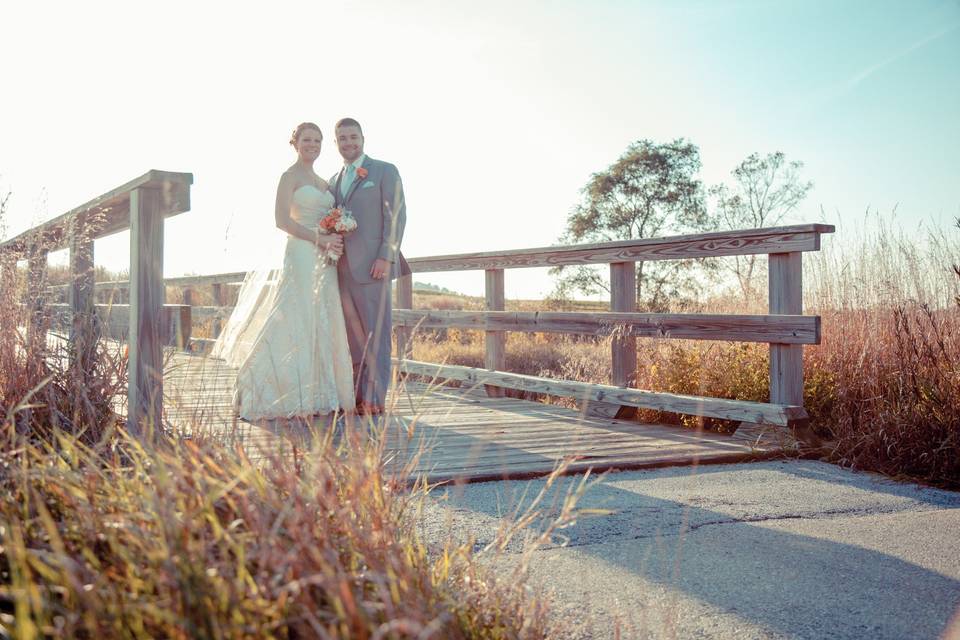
[{"x": 372, "y": 191}]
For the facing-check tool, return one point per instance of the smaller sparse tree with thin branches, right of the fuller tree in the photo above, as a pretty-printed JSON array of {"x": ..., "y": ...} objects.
[{"x": 765, "y": 190}]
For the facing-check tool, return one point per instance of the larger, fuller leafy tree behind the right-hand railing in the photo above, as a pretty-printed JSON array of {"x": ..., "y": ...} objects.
[{"x": 651, "y": 190}]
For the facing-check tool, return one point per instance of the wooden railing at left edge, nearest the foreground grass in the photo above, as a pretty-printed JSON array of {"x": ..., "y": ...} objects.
[{"x": 140, "y": 206}]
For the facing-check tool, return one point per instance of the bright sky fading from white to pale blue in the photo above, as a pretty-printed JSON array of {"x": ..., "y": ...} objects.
[{"x": 496, "y": 113}]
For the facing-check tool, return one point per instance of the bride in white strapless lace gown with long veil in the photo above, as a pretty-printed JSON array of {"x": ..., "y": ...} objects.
[{"x": 287, "y": 335}]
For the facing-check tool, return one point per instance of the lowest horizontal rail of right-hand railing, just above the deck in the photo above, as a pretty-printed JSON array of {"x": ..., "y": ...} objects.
[{"x": 740, "y": 410}]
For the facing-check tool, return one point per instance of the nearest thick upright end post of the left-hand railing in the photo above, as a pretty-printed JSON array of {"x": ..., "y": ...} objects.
[{"x": 145, "y": 368}]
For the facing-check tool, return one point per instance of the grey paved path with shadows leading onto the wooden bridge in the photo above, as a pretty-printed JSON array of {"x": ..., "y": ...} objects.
[{"x": 783, "y": 549}]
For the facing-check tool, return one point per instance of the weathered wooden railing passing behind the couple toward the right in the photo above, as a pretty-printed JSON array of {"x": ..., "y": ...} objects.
[{"x": 784, "y": 328}]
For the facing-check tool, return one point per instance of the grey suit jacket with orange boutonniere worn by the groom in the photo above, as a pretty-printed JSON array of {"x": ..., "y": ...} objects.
[{"x": 377, "y": 203}]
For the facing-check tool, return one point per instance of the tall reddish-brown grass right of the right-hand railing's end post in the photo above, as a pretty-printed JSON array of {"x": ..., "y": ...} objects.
[{"x": 890, "y": 357}]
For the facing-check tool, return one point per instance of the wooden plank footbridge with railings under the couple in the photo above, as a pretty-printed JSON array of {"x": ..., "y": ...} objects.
[{"x": 468, "y": 432}]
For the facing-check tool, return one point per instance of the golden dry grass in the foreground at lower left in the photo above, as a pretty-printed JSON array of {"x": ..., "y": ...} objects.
[{"x": 104, "y": 536}]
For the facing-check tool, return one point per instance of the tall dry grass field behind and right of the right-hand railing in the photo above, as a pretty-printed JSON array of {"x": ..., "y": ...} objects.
[{"x": 883, "y": 386}]
